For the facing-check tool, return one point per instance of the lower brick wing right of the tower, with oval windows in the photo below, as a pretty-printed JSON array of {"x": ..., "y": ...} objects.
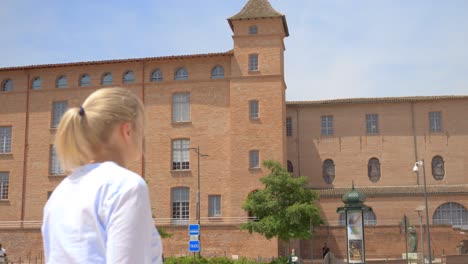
[{"x": 374, "y": 143}]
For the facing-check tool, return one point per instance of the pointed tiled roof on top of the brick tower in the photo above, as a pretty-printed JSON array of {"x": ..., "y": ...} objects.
[{"x": 259, "y": 9}]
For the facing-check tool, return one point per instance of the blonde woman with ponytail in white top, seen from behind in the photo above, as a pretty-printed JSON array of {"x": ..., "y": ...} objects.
[{"x": 101, "y": 212}]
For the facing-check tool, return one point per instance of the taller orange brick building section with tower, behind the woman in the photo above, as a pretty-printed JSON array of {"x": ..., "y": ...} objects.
[{"x": 230, "y": 106}]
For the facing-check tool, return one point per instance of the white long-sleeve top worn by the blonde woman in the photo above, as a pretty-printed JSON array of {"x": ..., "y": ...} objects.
[{"x": 101, "y": 213}]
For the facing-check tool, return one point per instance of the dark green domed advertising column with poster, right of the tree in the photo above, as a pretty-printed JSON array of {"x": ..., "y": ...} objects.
[{"x": 354, "y": 209}]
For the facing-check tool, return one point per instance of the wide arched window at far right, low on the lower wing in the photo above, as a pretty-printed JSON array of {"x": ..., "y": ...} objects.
[{"x": 450, "y": 214}]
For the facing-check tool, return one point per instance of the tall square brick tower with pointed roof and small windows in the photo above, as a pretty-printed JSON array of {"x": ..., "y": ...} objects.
[{"x": 257, "y": 97}]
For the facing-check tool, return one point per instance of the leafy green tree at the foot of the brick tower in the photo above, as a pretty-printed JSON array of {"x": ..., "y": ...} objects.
[{"x": 284, "y": 208}]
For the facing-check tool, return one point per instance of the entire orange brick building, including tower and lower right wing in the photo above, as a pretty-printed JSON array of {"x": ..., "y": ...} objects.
[{"x": 232, "y": 107}]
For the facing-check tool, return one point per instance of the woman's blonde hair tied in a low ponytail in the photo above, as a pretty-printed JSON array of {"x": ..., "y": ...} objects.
[{"x": 83, "y": 130}]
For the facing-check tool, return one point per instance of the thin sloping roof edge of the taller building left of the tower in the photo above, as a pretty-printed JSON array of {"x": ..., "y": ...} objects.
[{"x": 228, "y": 53}]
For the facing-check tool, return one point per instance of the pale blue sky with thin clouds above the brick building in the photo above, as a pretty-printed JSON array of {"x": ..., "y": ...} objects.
[{"x": 336, "y": 48}]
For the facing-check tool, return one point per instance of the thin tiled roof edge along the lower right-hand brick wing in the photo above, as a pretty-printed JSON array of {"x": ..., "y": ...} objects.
[{"x": 376, "y": 100}]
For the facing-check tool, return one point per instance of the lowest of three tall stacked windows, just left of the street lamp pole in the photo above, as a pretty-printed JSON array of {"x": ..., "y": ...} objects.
[{"x": 180, "y": 205}]
